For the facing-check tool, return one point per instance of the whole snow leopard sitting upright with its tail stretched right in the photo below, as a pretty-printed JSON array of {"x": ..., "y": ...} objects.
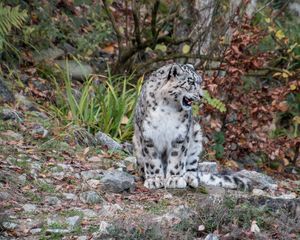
[{"x": 167, "y": 140}]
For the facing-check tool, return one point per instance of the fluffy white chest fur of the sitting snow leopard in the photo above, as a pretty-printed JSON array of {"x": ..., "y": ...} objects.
[{"x": 164, "y": 126}]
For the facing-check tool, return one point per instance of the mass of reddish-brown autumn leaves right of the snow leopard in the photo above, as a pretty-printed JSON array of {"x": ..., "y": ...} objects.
[{"x": 252, "y": 113}]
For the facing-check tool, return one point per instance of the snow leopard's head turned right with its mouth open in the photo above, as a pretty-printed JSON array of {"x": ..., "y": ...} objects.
[{"x": 182, "y": 85}]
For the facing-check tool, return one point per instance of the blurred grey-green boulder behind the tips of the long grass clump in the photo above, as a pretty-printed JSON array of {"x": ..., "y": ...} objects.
[{"x": 77, "y": 71}]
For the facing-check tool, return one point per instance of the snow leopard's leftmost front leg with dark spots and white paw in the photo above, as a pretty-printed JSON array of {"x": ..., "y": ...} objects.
[{"x": 153, "y": 168}]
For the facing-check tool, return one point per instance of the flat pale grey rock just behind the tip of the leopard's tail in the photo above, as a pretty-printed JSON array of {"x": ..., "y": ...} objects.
[{"x": 260, "y": 180}]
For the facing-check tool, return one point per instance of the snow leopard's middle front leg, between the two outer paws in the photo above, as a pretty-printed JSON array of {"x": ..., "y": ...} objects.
[{"x": 176, "y": 165}]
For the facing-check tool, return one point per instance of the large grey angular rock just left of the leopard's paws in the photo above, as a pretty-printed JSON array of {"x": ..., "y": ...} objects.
[{"x": 118, "y": 181}]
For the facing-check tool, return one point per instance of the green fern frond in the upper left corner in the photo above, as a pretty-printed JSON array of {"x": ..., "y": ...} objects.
[{"x": 10, "y": 17}]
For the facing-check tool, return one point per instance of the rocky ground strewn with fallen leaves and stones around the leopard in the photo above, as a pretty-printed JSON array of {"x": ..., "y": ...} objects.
[{"x": 51, "y": 188}]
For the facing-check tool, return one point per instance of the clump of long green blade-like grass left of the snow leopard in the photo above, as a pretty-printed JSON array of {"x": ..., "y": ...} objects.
[{"x": 108, "y": 106}]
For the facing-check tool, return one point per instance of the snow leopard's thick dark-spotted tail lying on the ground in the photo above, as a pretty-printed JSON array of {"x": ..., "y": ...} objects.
[{"x": 231, "y": 181}]
